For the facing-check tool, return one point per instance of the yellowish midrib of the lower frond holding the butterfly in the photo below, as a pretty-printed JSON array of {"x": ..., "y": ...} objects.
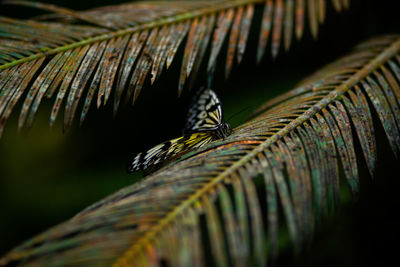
[{"x": 373, "y": 64}]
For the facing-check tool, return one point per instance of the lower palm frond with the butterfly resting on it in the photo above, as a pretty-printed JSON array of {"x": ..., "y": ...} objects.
[{"x": 295, "y": 147}]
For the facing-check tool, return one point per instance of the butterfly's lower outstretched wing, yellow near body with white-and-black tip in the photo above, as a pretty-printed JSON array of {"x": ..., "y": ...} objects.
[{"x": 168, "y": 150}]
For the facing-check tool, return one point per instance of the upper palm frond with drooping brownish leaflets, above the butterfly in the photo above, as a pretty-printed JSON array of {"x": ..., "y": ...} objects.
[{"x": 117, "y": 47}]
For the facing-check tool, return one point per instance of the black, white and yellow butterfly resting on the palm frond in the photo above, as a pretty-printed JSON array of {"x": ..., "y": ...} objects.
[{"x": 204, "y": 125}]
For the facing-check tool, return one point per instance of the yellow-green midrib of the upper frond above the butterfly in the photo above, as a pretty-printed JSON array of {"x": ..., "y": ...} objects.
[{"x": 149, "y": 25}]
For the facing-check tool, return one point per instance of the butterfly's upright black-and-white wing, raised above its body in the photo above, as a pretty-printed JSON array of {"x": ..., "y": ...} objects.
[{"x": 205, "y": 113}]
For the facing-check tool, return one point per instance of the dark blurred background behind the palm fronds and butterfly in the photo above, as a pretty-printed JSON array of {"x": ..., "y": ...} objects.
[{"x": 47, "y": 176}]
